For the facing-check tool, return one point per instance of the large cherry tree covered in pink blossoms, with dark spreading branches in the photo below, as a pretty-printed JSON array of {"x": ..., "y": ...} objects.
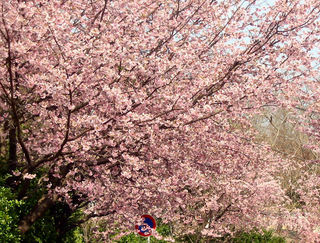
[{"x": 131, "y": 107}]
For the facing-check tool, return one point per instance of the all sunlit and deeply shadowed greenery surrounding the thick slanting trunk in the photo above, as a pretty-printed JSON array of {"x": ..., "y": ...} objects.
[{"x": 44, "y": 229}]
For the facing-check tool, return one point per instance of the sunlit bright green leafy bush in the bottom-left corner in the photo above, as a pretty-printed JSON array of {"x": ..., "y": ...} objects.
[{"x": 9, "y": 216}]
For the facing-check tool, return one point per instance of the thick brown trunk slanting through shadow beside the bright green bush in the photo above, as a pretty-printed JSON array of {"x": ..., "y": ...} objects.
[{"x": 37, "y": 212}]
